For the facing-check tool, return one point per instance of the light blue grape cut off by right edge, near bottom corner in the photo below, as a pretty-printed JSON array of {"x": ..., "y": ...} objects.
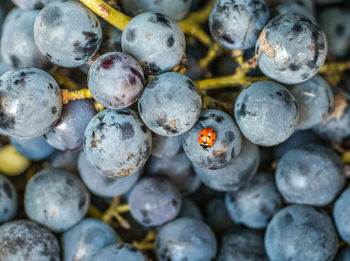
[{"x": 341, "y": 212}]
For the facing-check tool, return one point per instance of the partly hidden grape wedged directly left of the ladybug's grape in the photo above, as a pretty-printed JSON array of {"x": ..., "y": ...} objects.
[{"x": 166, "y": 147}]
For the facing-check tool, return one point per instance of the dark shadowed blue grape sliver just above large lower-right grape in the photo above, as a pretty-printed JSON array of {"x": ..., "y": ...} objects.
[{"x": 297, "y": 139}]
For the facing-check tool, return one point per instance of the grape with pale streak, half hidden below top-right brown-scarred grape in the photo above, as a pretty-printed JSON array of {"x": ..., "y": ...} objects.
[{"x": 315, "y": 101}]
